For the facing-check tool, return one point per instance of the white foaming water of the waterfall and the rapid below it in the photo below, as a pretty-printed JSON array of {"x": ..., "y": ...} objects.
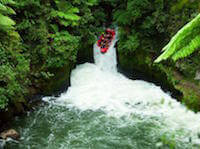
[{"x": 99, "y": 87}]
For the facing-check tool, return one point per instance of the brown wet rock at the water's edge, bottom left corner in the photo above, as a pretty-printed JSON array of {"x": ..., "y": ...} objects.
[{"x": 11, "y": 133}]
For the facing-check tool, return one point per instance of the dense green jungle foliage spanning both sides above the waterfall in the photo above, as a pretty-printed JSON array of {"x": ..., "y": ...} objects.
[{"x": 38, "y": 38}]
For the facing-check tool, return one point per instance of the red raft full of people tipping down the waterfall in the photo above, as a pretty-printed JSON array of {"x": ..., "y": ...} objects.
[{"x": 105, "y": 40}]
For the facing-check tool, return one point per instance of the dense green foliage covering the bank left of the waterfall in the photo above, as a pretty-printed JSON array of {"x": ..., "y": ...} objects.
[{"x": 45, "y": 38}]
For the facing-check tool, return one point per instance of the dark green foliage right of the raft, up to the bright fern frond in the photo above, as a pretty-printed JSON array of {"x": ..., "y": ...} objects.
[{"x": 146, "y": 24}]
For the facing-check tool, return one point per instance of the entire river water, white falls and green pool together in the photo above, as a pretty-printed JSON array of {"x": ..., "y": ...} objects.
[{"x": 102, "y": 109}]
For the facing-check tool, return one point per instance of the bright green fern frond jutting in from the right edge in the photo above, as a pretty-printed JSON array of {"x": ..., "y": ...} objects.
[{"x": 183, "y": 37}]
